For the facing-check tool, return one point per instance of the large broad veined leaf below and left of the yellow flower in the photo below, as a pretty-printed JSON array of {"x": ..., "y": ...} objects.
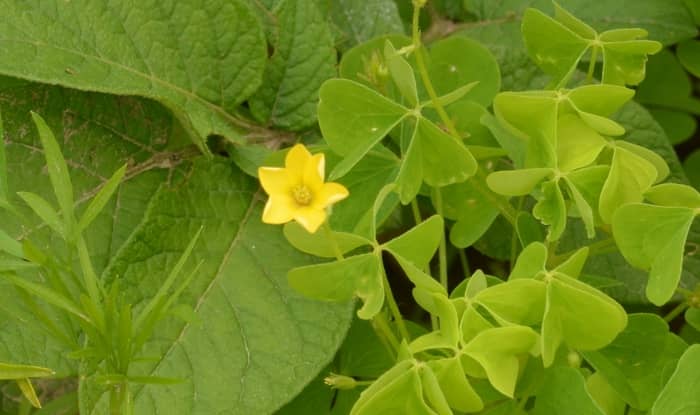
[{"x": 236, "y": 288}]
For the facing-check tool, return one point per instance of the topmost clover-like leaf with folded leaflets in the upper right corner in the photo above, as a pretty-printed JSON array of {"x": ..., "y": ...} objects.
[{"x": 557, "y": 45}]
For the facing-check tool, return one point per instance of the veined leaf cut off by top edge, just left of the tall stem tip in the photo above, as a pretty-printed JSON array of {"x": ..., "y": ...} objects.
[{"x": 360, "y": 21}]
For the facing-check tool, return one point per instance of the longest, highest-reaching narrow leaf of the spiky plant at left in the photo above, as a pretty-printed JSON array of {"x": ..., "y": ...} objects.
[{"x": 58, "y": 172}]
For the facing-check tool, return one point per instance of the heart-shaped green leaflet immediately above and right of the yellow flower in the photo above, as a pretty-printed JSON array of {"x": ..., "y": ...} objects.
[{"x": 353, "y": 119}]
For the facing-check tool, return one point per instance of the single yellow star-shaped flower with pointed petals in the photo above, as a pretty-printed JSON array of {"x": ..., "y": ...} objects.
[{"x": 297, "y": 191}]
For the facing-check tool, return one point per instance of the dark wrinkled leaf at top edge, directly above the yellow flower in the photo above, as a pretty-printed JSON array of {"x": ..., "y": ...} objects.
[{"x": 288, "y": 96}]
